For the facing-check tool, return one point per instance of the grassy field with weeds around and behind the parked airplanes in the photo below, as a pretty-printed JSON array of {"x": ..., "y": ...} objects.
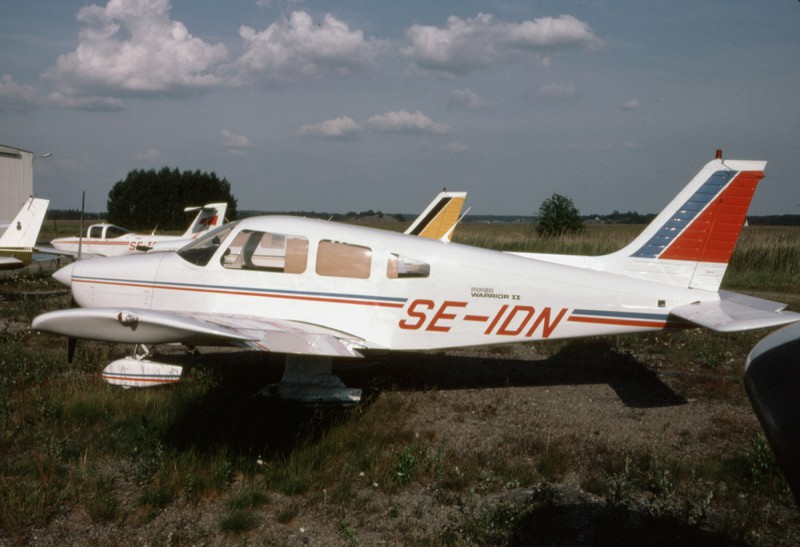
[{"x": 135, "y": 466}]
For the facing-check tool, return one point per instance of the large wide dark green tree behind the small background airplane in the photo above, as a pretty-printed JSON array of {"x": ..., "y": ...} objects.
[{"x": 149, "y": 199}]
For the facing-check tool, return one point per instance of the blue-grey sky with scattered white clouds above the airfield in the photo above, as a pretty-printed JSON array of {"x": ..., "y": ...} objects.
[{"x": 356, "y": 105}]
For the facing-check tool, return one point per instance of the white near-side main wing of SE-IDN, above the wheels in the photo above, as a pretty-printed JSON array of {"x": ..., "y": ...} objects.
[{"x": 140, "y": 326}]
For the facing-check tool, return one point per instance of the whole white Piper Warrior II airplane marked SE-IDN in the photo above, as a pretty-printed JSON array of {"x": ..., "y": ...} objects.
[{"x": 316, "y": 290}]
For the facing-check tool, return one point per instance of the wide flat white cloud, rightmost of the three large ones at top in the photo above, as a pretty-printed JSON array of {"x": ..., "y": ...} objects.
[{"x": 466, "y": 44}]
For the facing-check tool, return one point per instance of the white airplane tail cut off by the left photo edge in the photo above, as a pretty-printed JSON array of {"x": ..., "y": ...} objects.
[{"x": 19, "y": 238}]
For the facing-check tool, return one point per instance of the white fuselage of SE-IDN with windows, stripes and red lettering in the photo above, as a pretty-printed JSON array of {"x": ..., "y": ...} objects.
[{"x": 392, "y": 290}]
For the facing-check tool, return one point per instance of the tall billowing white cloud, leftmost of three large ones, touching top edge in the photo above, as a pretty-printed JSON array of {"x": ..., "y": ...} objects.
[{"x": 134, "y": 47}]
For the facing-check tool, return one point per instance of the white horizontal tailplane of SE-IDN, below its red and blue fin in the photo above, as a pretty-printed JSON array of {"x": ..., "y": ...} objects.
[{"x": 735, "y": 312}]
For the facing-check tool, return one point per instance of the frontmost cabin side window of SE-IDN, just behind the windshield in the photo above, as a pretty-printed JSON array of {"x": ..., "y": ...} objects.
[{"x": 267, "y": 252}]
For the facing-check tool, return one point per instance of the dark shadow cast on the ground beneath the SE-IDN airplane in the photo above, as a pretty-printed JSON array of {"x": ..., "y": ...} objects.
[{"x": 232, "y": 414}]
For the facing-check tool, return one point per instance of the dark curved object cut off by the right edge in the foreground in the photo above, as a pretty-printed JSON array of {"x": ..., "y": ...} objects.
[{"x": 772, "y": 379}]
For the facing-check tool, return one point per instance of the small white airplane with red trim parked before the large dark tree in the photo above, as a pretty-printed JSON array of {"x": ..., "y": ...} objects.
[{"x": 110, "y": 240}]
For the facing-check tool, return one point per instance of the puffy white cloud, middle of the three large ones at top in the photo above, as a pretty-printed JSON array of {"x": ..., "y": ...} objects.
[{"x": 298, "y": 47}]
